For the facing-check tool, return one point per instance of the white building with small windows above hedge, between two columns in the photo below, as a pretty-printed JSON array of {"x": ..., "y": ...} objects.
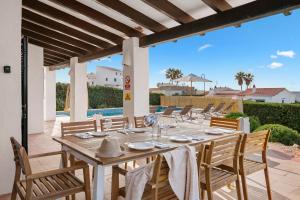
[{"x": 108, "y": 77}]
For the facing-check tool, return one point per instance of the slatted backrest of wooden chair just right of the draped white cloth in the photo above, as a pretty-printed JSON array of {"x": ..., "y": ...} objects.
[{"x": 224, "y": 151}]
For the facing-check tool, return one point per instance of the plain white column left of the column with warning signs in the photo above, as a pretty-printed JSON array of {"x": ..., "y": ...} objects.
[{"x": 78, "y": 91}]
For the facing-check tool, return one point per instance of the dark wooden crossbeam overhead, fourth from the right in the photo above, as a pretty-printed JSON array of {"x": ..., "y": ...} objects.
[{"x": 99, "y": 17}]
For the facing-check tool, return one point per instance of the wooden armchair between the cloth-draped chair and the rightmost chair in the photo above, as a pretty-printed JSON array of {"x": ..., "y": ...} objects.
[{"x": 211, "y": 177}]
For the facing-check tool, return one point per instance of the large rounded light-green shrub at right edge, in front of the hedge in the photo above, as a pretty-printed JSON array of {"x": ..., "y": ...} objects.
[{"x": 282, "y": 134}]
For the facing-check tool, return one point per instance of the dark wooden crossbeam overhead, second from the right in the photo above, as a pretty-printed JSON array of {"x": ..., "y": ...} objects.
[{"x": 170, "y": 10}]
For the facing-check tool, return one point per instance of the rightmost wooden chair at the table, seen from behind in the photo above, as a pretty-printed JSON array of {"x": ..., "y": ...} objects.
[{"x": 256, "y": 142}]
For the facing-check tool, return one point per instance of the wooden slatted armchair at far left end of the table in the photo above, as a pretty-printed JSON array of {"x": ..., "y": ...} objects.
[{"x": 51, "y": 184}]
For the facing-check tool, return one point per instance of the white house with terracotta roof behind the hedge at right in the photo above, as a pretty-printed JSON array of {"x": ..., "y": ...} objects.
[{"x": 273, "y": 95}]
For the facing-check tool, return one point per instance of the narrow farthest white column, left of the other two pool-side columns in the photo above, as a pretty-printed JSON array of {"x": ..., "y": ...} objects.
[{"x": 49, "y": 94}]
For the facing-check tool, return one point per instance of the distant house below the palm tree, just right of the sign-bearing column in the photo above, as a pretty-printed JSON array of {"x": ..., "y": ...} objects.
[{"x": 169, "y": 89}]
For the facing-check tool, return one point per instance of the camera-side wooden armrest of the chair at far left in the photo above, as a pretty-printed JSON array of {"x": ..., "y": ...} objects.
[{"x": 56, "y": 171}]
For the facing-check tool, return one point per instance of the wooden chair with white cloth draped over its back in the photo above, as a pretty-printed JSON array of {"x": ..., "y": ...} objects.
[{"x": 157, "y": 188}]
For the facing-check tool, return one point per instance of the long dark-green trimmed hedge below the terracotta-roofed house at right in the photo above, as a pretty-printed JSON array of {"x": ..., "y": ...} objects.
[{"x": 275, "y": 113}]
